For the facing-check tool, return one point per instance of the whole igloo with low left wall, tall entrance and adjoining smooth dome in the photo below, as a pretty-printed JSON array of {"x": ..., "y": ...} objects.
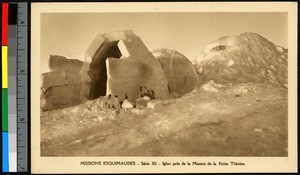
[{"x": 120, "y": 64}]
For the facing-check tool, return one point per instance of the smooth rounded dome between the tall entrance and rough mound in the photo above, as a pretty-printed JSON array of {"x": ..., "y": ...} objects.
[{"x": 181, "y": 75}]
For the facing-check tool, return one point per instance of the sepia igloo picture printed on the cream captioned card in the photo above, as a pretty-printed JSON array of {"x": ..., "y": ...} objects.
[{"x": 163, "y": 84}]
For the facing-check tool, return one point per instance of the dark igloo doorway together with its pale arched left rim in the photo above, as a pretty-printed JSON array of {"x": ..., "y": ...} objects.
[{"x": 94, "y": 71}]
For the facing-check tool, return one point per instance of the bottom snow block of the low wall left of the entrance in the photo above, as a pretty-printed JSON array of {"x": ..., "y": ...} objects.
[{"x": 58, "y": 97}]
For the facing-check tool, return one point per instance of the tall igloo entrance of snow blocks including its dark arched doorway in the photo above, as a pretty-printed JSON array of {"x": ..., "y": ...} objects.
[{"x": 119, "y": 63}]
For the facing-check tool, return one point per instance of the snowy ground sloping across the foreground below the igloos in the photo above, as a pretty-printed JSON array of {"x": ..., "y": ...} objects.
[{"x": 238, "y": 120}]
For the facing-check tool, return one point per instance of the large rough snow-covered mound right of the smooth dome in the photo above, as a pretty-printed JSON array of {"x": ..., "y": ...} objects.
[{"x": 247, "y": 57}]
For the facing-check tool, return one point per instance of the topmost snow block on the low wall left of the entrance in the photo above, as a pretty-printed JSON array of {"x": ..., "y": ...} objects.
[{"x": 60, "y": 63}]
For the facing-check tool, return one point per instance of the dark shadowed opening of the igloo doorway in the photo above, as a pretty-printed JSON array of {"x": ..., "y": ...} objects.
[{"x": 98, "y": 71}]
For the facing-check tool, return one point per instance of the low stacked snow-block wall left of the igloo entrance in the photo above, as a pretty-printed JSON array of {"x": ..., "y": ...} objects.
[{"x": 61, "y": 86}]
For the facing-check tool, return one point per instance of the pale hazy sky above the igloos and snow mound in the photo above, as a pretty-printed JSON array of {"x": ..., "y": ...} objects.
[{"x": 69, "y": 34}]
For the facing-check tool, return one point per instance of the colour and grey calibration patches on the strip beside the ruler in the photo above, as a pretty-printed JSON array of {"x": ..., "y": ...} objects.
[{"x": 9, "y": 87}]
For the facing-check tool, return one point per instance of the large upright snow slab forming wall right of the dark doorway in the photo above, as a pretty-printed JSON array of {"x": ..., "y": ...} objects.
[{"x": 134, "y": 79}]
